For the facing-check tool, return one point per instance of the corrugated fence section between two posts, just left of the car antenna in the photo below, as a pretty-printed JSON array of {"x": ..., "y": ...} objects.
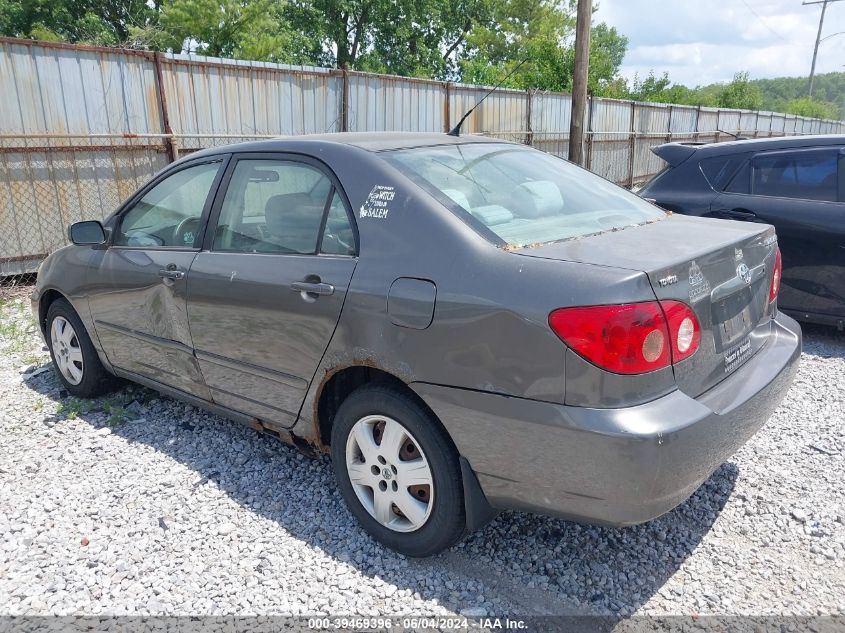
[{"x": 380, "y": 103}]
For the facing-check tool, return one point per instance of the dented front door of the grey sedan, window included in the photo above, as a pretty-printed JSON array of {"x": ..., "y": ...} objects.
[{"x": 138, "y": 304}]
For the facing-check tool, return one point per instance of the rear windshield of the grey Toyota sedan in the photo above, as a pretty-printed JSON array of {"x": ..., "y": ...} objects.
[{"x": 521, "y": 195}]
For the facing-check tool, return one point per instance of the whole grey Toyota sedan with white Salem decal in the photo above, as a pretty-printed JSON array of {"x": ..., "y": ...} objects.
[{"x": 465, "y": 325}]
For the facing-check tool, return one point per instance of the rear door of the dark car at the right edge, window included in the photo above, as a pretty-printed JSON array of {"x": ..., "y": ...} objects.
[{"x": 800, "y": 192}]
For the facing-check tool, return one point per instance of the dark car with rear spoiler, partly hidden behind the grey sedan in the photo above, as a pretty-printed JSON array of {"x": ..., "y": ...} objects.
[{"x": 795, "y": 183}]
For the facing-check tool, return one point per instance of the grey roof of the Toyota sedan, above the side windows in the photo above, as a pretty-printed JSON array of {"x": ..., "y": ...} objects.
[{"x": 370, "y": 141}]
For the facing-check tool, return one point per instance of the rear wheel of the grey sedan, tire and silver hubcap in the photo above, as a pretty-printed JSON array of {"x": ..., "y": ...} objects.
[{"x": 398, "y": 471}]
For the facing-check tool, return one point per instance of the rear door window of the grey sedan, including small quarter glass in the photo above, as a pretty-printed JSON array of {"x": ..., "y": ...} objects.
[{"x": 277, "y": 206}]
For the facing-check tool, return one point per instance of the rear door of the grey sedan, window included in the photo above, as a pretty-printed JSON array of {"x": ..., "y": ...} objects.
[{"x": 266, "y": 292}]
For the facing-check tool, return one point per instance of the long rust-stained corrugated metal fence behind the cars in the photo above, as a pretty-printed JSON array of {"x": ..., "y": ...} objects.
[{"x": 82, "y": 127}]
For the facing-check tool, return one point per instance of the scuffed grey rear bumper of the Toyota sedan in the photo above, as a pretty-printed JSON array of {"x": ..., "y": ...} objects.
[{"x": 613, "y": 466}]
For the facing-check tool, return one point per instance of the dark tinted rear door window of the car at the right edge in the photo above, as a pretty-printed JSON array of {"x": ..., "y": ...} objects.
[{"x": 806, "y": 175}]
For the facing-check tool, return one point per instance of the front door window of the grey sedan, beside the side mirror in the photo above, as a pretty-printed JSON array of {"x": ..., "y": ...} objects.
[{"x": 170, "y": 214}]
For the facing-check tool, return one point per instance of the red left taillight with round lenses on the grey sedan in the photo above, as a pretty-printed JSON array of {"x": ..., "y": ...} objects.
[{"x": 632, "y": 338}]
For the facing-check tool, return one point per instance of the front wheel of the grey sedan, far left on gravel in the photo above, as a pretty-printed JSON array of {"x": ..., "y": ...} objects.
[{"x": 75, "y": 360}]
